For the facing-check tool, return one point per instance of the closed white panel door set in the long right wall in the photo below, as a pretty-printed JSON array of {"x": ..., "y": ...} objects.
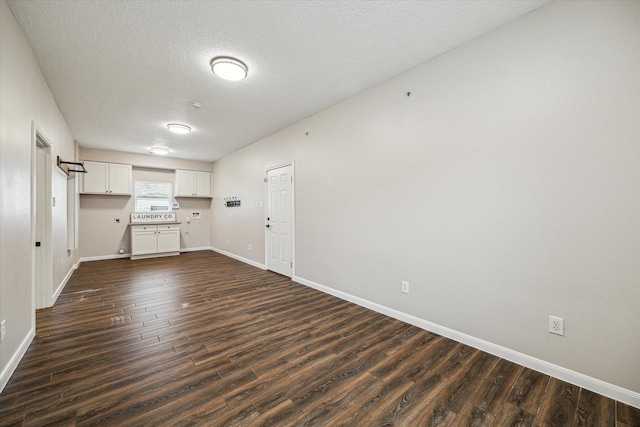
[{"x": 279, "y": 224}]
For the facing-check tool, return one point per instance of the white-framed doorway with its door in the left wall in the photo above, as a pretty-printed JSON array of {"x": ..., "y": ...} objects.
[{"x": 42, "y": 292}]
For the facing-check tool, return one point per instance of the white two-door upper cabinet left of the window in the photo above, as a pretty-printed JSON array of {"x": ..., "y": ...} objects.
[{"x": 107, "y": 178}]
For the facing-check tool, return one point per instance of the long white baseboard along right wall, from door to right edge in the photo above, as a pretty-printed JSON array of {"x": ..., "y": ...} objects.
[{"x": 601, "y": 387}]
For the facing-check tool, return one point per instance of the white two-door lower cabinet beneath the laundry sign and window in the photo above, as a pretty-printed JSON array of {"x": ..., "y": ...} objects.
[{"x": 149, "y": 240}]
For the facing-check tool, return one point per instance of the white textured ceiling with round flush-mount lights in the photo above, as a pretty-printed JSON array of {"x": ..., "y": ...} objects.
[{"x": 121, "y": 70}]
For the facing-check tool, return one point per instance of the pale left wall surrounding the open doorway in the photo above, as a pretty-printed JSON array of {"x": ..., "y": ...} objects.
[{"x": 25, "y": 98}]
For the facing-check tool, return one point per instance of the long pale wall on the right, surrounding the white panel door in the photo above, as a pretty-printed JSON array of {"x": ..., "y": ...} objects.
[{"x": 506, "y": 188}]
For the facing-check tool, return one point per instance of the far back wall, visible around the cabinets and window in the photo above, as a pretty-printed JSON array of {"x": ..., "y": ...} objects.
[{"x": 101, "y": 237}]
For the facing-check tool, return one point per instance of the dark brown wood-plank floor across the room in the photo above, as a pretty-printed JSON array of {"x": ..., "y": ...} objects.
[{"x": 202, "y": 339}]
